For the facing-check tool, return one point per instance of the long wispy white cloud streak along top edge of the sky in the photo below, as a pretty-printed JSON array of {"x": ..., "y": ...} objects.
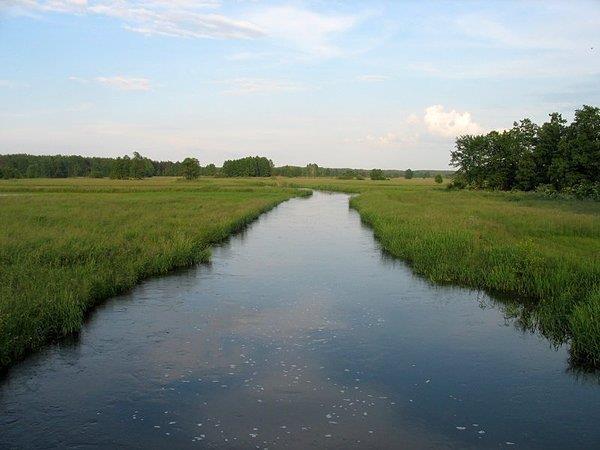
[{"x": 307, "y": 31}]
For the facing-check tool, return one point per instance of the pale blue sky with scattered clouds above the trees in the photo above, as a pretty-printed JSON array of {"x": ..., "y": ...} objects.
[{"x": 387, "y": 84}]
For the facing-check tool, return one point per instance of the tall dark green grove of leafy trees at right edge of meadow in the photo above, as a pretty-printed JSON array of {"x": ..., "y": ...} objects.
[{"x": 555, "y": 157}]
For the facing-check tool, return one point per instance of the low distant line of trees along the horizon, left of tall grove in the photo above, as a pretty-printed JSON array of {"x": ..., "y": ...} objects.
[{"x": 138, "y": 166}]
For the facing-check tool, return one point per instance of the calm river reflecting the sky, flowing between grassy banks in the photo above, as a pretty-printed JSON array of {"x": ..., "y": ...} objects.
[{"x": 300, "y": 334}]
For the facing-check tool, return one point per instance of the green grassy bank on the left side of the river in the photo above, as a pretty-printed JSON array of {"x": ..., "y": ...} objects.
[{"x": 65, "y": 245}]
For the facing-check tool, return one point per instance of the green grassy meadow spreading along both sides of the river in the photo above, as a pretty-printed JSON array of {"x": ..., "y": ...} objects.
[{"x": 66, "y": 244}]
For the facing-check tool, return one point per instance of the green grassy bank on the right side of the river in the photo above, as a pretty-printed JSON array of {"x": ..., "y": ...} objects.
[{"x": 520, "y": 244}]
